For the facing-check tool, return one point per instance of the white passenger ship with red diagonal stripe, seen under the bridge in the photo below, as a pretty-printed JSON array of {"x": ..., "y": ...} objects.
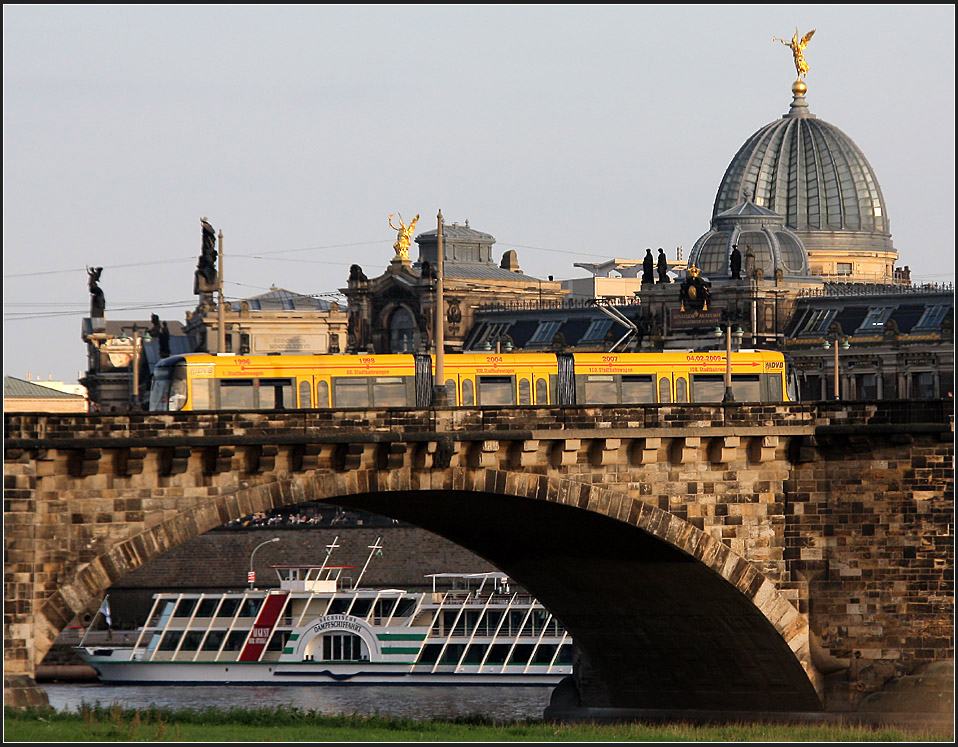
[{"x": 479, "y": 629}]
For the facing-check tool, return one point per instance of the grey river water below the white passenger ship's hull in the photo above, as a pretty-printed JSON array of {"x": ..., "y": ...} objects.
[{"x": 513, "y": 703}]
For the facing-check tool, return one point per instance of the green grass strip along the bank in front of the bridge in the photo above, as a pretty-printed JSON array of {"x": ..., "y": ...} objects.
[{"x": 283, "y": 724}]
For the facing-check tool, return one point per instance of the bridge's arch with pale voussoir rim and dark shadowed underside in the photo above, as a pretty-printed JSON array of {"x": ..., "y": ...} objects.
[{"x": 666, "y": 614}]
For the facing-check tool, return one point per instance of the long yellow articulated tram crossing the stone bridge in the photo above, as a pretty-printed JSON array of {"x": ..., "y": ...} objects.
[{"x": 201, "y": 381}]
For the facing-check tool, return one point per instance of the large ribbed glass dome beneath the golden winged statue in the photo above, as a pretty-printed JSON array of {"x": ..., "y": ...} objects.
[{"x": 815, "y": 176}]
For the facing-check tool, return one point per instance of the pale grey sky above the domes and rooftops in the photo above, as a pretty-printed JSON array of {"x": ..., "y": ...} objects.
[{"x": 571, "y": 133}]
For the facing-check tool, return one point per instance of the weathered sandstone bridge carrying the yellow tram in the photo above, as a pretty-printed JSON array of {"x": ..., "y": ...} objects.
[{"x": 788, "y": 557}]
